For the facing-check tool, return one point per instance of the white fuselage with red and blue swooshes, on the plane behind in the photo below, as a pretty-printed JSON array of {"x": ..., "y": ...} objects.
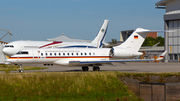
[{"x": 16, "y": 46}]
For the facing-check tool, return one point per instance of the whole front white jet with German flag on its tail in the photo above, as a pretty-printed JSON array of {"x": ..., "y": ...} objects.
[{"x": 85, "y": 57}]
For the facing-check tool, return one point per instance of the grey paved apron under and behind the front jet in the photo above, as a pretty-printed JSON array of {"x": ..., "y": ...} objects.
[{"x": 136, "y": 67}]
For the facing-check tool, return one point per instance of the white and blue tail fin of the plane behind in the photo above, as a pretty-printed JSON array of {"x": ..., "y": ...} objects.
[{"x": 101, "y": 35}]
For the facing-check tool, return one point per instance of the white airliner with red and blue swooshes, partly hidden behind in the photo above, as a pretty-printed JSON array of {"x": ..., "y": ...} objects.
[{"x": 14, "y": 47}]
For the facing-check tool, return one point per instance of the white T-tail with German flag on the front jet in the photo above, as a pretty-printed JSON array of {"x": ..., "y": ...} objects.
[{"x": 136, "y": 39}]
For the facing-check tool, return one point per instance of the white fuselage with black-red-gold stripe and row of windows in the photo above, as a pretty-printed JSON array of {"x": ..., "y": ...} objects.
[{"x": 65, "y": 56}]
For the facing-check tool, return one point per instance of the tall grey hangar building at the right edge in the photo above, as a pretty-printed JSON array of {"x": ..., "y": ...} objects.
[{"x": 171, "y": 22}]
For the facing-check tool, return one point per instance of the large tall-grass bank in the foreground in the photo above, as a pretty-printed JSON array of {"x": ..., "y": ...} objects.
[{"x": 64, "y": 86}]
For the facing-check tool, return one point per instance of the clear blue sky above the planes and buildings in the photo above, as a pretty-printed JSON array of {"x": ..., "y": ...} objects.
[{"x": 79, "y": 19}]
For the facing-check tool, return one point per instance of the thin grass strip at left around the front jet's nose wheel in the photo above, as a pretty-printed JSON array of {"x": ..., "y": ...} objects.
[{"x": 7, "y": 68}]
